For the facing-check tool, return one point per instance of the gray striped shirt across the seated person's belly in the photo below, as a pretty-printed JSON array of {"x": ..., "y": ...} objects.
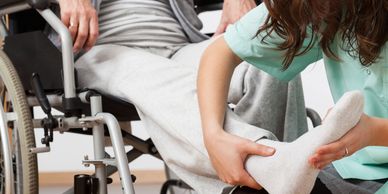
[{"x": 140, "y": 23}]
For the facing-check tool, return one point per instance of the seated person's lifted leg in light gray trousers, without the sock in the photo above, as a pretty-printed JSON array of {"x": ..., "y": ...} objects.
[{"x": 164, "y": 92}]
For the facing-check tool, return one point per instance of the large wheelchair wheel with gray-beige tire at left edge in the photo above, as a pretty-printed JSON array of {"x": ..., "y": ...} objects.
[{"x": 21, "y": 131}]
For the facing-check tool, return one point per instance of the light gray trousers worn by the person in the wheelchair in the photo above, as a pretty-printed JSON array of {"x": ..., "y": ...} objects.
[{"x": 164, "y": 93}]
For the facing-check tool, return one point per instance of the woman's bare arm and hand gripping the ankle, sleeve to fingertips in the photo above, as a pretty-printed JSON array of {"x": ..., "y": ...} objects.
[{"x": 227, "y": 152}]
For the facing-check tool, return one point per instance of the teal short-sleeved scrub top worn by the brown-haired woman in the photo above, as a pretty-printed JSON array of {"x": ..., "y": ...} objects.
[{"x": 344, "y": 75}]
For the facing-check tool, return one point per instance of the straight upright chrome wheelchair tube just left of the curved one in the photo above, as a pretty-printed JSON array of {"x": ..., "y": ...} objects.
[{"x": 99, "y": 144}]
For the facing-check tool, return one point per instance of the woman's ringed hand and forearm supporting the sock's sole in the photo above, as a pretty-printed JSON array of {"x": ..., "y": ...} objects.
[{"x": 370, "y": 131}]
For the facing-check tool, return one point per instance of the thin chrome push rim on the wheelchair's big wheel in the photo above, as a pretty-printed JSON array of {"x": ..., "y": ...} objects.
[{"x": 8, "y": 169}]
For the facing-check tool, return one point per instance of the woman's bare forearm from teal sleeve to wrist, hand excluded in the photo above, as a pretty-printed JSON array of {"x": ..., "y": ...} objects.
[{"x": 215, "y": 72}]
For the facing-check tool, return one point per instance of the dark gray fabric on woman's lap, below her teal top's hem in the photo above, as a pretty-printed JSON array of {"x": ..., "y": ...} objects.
[{"x": 337, "y": 185}]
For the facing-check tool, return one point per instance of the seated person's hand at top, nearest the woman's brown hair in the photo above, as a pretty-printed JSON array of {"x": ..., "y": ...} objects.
[{"x": 232, "y": 11}]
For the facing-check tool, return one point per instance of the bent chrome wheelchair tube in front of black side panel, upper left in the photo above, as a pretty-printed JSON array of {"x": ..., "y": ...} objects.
[{"x": 67, "y": 51}]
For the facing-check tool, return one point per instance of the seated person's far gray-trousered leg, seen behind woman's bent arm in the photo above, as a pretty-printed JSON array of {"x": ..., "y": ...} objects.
[{"x": 254, "y": 93}]
